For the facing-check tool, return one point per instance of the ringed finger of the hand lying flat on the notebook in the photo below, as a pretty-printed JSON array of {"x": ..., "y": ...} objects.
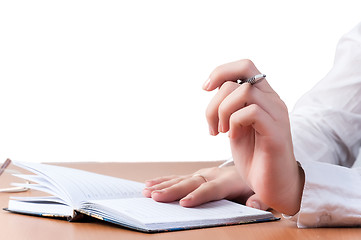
[{"x": 179, "y": 190}]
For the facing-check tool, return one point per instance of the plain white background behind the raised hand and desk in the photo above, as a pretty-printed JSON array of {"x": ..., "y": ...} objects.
[{"x": 121, "y": 80}]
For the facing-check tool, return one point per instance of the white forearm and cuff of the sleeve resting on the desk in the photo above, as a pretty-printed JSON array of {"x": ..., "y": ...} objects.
[{"x": 331, "y": 196}]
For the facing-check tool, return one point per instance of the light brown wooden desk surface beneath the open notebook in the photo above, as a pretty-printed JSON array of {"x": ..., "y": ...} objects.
[{"x": 15, "y": 226}]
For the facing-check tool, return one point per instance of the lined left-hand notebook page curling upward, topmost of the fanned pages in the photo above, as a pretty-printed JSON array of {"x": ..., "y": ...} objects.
[{"x": 81, "y": 185}]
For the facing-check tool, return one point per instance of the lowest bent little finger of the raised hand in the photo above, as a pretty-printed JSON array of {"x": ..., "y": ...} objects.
[{"x": 252, "y": 115}]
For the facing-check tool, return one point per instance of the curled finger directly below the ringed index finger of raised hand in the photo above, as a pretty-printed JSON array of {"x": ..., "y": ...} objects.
[{"x": 212, "y": 109}]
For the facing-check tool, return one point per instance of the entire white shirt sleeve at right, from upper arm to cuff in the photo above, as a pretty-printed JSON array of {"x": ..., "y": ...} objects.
[{"x": 326, "y": 132}]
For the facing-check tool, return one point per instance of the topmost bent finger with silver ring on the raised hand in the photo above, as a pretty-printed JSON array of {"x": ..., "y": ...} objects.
[{"x": 242, "y": 69}]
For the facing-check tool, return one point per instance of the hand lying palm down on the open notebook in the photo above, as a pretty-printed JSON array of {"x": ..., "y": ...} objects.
[{"x": 192, "y": 190}]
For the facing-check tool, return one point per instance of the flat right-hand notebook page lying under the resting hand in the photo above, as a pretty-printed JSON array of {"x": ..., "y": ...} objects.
[{"x": 148, "y": 212}]
